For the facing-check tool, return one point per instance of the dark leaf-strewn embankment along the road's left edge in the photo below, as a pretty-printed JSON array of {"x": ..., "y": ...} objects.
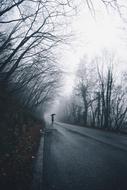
[{"x": 19, "y": 139}]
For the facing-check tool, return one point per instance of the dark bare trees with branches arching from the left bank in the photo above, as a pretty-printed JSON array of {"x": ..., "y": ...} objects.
[{"x": 29, "y": 34}]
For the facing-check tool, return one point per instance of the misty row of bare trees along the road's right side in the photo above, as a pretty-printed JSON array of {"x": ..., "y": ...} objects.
[{"x": 100, "y": 95}]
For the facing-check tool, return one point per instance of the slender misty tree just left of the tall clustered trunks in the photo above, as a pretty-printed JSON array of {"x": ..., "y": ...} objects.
[{"x": 85, "y": 86}]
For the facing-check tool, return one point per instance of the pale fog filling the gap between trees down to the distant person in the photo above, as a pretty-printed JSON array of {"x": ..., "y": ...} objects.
[{"x": 93, "y": 31}]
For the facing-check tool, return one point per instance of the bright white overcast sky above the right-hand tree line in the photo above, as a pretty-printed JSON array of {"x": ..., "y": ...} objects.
[{"x": 91, "y": 36}]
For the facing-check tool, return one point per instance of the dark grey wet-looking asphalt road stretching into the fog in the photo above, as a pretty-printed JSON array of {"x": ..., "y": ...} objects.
[{"x": 77, "y": 158}]
